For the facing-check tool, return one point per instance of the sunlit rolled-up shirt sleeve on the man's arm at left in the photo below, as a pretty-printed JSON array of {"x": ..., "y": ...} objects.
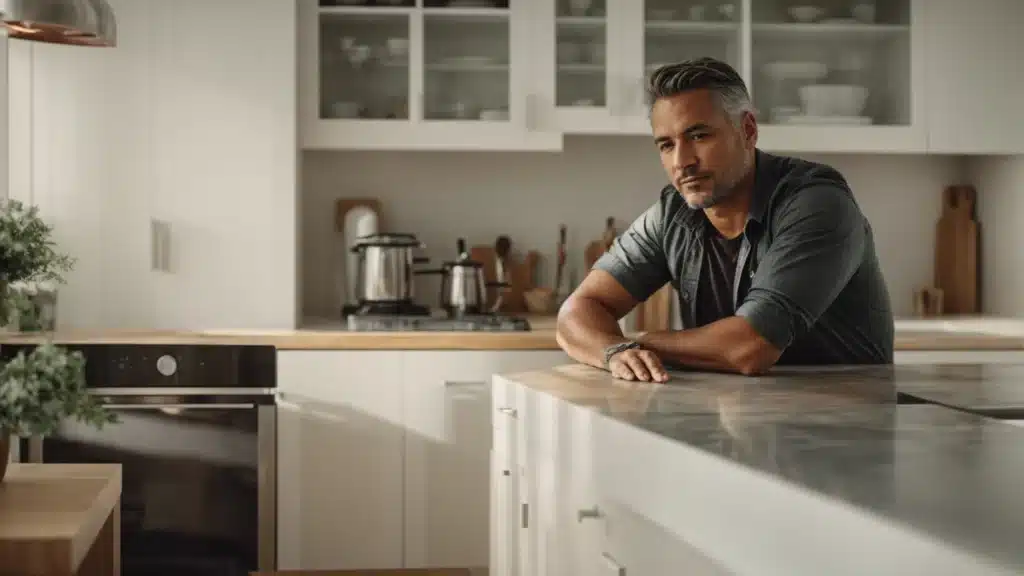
[{"x": 636, "y": 260}]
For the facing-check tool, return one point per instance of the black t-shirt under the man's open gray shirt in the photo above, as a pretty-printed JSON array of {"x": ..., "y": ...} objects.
[{"x": 714, "y": 299}]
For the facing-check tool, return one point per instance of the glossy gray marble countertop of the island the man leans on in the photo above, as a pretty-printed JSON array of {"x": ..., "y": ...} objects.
[{"x": 839, "y": 433}]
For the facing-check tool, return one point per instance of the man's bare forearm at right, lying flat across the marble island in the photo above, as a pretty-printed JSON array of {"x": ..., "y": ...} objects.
[{"x": 729, "y": 345}]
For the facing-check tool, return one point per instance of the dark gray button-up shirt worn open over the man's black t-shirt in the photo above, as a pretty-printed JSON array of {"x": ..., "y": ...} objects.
[{"x": 816, "y": 289}]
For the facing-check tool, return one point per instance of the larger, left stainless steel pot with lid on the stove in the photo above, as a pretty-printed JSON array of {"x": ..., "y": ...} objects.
[{"x": 387, "y": 268}]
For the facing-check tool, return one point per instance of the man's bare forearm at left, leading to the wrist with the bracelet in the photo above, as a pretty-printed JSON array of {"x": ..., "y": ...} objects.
[{"x": 585, "y": 330}]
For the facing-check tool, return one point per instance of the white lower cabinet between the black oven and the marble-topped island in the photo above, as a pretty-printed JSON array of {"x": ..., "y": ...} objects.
[{"x": 385, "y": 457}]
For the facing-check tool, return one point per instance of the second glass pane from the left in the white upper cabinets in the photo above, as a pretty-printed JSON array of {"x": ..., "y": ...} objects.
[{"x": 466, "y": 60}]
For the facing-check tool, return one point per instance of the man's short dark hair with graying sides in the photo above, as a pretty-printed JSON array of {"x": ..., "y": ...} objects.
[{"x": 698, "y": 74}]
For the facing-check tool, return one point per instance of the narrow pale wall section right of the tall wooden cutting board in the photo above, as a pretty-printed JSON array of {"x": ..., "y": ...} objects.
[{"x": 1000, "y": 182}]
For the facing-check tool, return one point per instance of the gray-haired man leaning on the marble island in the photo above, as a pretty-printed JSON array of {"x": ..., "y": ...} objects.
[{"x": 773, "y": 260}]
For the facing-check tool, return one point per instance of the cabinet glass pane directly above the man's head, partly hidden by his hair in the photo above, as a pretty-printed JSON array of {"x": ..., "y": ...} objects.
[{"x": 677, "y": 31}]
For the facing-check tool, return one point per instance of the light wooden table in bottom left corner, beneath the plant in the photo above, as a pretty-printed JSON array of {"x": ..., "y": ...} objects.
[{"x": 52, "y": 515}]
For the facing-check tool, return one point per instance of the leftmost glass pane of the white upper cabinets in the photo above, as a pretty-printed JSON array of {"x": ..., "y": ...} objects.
[{"x": 364, "y": 66}]
